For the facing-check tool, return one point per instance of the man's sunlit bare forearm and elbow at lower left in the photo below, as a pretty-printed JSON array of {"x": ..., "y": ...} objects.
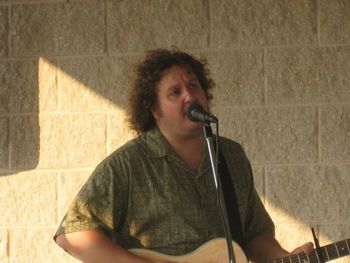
[{"x": 95, "y": 247}]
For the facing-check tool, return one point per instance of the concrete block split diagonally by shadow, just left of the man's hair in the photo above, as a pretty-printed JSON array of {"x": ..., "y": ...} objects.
[{"x": 93, "y": 84}]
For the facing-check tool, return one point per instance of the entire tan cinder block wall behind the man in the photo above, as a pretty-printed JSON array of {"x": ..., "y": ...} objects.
[{"x": 283, "y": 91}]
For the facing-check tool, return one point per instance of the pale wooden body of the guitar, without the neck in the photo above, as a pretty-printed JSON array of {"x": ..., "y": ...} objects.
[{"x": 214, "y": 251}]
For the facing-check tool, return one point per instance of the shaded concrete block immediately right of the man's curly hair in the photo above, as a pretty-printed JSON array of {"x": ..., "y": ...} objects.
[{"x": 238, "y": 76}]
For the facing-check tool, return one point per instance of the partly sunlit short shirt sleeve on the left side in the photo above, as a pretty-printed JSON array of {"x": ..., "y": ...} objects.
[{"x": 96, "y": 205}]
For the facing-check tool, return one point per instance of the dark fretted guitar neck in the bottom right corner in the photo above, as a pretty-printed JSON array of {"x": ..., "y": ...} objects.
[{"x": 319, "y": 255}]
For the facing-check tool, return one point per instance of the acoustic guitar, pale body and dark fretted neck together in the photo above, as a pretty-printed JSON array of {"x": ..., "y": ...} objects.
[{"x": 215, "y": 251}]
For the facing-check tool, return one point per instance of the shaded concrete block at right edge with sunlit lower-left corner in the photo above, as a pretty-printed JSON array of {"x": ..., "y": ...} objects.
[{"x": 307, "y": 194}]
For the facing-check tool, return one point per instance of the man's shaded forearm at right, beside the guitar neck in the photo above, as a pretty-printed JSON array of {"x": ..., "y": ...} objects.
[{"x": 264, "y": 248}]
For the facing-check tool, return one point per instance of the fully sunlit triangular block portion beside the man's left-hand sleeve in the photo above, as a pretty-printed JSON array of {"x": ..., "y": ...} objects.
[{"x": 69, "y": 184}]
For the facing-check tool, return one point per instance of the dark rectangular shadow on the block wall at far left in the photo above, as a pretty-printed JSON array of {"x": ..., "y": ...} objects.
[{"x": 19, "y": 121}]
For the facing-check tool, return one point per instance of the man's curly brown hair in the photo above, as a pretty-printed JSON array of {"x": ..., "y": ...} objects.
[{"x": 147, "y": 75}]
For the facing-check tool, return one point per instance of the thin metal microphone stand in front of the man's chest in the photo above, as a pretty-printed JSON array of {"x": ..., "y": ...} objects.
[{"x": 208, "y": 134}]
